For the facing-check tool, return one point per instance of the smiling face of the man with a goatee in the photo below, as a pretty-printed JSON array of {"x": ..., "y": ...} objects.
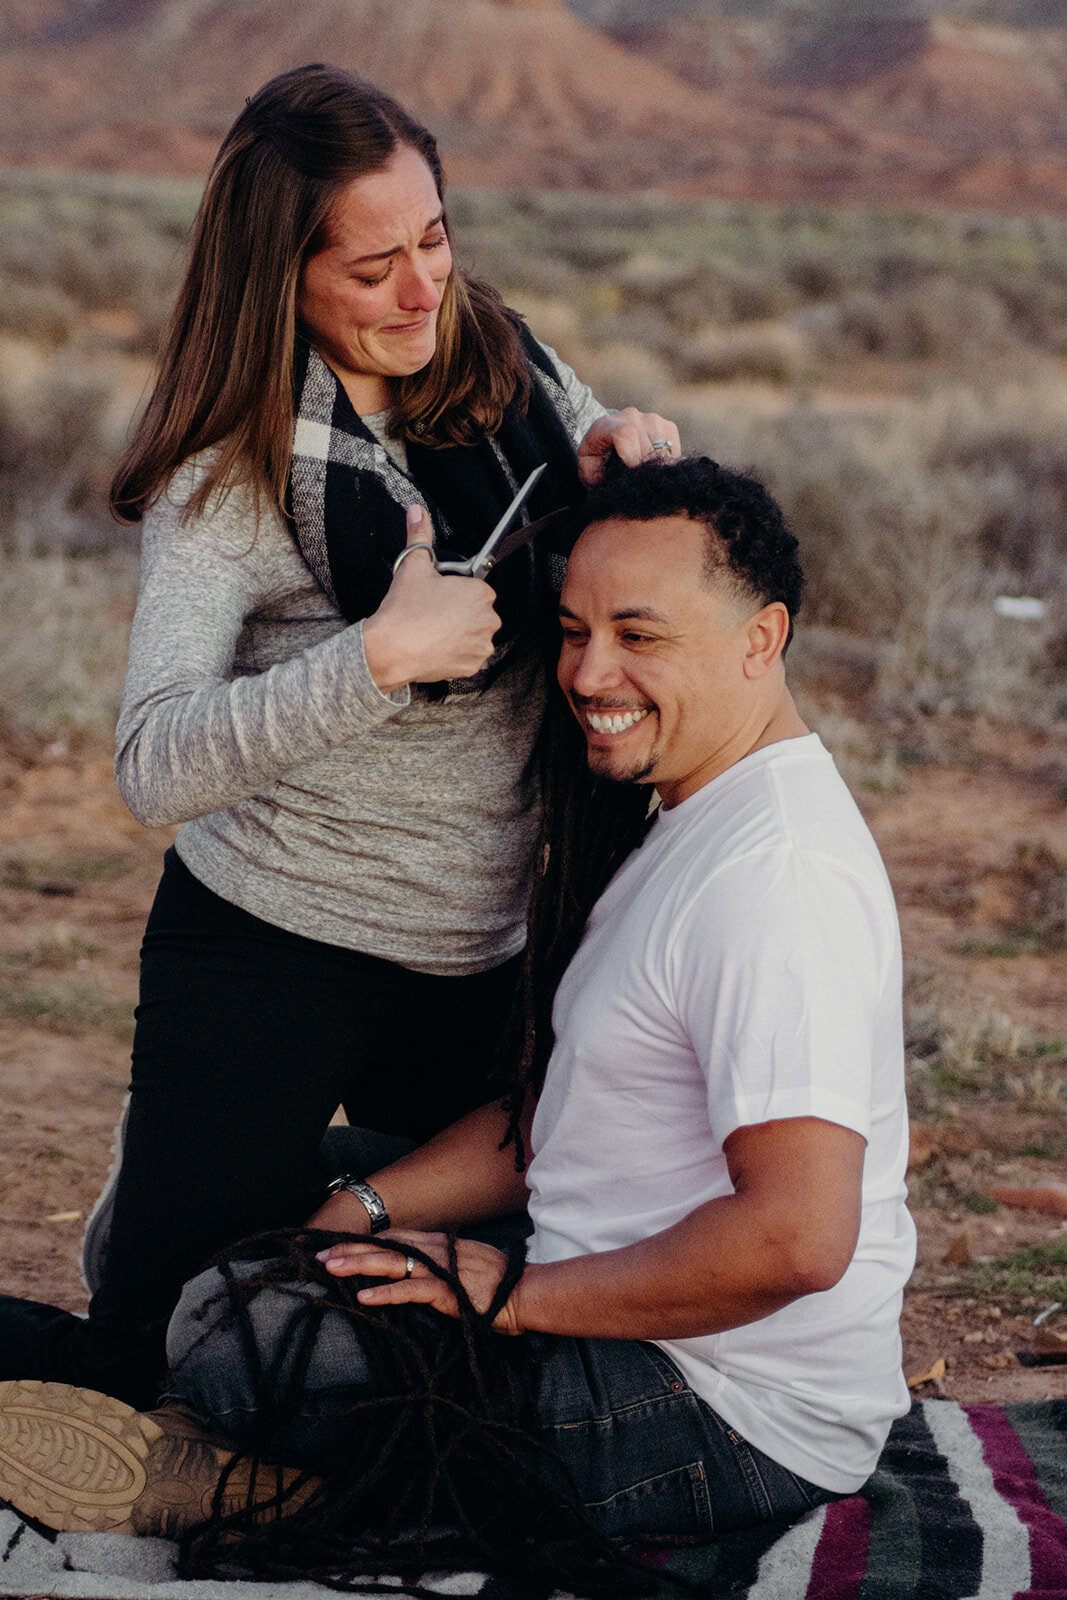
[{"x": 653, "y": 657}]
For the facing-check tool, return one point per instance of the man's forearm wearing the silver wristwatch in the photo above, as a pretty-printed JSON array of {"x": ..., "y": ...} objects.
[{"x": 457, "y": 1180}]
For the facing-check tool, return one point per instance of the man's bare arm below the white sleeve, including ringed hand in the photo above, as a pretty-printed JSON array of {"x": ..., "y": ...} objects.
[{"x": 789, "y": 1230}]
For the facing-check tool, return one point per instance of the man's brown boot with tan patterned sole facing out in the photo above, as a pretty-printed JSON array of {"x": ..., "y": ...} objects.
[{"x": 84, "y": 1463}]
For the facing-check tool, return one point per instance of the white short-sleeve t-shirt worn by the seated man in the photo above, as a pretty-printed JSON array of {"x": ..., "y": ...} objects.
[{"x": 743, "y": 967}]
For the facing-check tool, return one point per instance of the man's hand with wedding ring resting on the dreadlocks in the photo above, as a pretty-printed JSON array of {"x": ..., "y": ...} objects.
[{"x": 481, "y": 1271}]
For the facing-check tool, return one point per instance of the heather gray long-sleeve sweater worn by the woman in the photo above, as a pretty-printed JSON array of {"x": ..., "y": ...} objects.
[{"x": 386, "y": 825}]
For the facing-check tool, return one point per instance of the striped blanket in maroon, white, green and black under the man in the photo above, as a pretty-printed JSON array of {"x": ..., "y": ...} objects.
[{"x": 969, "y": 1503}]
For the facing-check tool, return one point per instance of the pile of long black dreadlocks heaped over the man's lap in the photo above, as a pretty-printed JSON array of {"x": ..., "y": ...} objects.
[{"x": 436, "y": 1466}]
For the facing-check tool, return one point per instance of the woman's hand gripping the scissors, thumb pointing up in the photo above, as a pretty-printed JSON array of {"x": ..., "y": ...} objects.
[{"x": 430, "y": 626}]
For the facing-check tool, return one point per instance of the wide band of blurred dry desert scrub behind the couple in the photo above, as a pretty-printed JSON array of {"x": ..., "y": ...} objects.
[{"x": 897, "y": 380}]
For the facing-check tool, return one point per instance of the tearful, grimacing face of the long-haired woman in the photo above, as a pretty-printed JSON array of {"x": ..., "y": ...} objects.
[{"x": 369, "y": 302}]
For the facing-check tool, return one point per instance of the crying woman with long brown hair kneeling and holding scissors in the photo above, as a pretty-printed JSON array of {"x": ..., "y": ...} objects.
[{"x": 348, "y": 742}]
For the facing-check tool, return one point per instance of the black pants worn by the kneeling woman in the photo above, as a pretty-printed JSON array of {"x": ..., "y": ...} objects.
[{"x": 247, "y": 1042}]
